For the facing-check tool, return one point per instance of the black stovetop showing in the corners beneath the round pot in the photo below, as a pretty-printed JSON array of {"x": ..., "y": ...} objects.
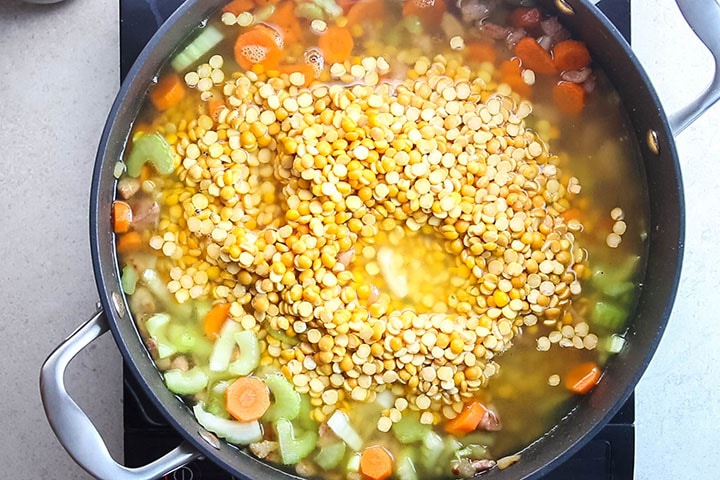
[{"x": 147, "y": 436}]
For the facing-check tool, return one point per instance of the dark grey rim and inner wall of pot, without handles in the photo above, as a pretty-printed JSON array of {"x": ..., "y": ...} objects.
[{"x": 570, "y": 435}]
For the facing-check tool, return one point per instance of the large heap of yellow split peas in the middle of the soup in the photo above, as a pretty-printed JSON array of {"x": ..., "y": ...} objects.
[{"x": 290, "y": 193}]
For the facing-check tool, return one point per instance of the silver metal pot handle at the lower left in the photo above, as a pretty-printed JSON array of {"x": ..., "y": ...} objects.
[{"x": 76, "y": 431}]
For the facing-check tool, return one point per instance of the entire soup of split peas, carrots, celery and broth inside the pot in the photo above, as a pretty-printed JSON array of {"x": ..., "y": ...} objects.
[{"x": 360, "y": 209}]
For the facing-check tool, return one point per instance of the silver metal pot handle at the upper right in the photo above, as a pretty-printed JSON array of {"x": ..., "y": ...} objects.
[{"x": 704, "y": 19}]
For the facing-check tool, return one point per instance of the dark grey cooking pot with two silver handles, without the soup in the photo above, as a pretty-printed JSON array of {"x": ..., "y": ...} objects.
[{"x": 654, "y": 132}]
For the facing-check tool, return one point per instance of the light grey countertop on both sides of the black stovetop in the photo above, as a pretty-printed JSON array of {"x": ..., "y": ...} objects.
[{"x": 59, "y": 73}]
